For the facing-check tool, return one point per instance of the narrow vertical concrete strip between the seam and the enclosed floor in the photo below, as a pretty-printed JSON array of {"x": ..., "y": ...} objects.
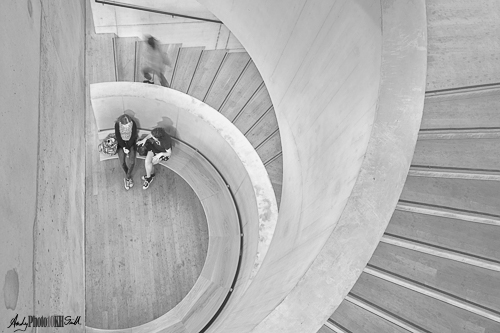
[{"x": 59, "y": 258}]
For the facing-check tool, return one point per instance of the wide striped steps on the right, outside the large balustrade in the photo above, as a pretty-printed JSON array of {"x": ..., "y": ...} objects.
[{"x": 437, "y": 267}]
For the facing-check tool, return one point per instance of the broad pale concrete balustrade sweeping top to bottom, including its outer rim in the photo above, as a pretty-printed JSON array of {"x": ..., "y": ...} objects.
[{"x": 348, "y": 101}]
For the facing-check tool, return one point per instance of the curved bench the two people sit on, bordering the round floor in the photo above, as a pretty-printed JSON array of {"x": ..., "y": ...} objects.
[{"x": 221, "y": 264}]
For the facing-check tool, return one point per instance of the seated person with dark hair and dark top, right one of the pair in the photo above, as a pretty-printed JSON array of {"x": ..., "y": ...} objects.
[{"x": 159, "y": 148}]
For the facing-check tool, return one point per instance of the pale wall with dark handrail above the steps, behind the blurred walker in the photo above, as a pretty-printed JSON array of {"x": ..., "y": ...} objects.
[{"x": 125, "y": 22}]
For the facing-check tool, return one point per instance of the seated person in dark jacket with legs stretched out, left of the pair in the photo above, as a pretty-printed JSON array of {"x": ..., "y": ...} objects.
[{"x": 126, "y": 135}]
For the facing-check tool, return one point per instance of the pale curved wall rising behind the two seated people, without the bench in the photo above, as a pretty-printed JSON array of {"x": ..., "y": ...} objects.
[{"x": 216, "y": 138}]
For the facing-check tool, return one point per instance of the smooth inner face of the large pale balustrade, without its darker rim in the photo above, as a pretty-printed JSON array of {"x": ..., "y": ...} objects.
[{"x": 311, "y": 81}]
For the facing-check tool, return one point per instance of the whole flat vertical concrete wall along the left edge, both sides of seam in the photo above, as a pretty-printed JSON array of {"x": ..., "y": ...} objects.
[{"x": 43, "y": 98}]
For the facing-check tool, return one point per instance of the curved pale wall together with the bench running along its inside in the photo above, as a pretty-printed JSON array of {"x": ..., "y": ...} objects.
[{"x": 233, "y": 163}]
